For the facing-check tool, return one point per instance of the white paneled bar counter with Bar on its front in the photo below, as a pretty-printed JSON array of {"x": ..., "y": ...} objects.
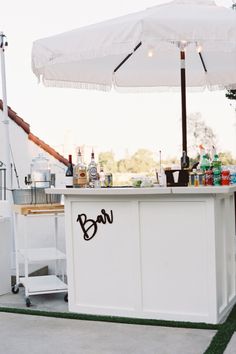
[{"x": 154, "y": 253}]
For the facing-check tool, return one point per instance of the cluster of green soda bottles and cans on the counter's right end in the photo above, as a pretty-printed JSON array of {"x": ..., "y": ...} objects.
[{"x": 211, "y": 172}]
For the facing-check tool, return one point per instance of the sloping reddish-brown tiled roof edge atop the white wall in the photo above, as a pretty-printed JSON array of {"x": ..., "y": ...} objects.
[{"x": 26, "y": 127}]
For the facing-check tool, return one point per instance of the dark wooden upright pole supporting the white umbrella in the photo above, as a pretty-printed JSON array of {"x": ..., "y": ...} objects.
[{"x": 184, "y": 158}]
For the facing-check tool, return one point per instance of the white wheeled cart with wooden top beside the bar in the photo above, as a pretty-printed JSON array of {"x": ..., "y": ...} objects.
[{"x": 36, "y": 285}]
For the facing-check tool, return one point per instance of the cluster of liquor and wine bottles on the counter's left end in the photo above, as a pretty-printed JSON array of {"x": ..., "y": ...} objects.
[{"x": 86, "y": 176}]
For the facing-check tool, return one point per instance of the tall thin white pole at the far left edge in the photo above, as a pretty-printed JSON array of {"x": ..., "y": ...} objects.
[{"x": 5, "y": 121}]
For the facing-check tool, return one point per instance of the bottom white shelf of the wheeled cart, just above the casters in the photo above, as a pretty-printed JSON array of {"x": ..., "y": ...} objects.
[{"x": 46, "y": 284}]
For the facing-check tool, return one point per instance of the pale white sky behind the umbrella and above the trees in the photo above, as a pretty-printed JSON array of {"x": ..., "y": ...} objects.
[{"x": 108, "y": 121}]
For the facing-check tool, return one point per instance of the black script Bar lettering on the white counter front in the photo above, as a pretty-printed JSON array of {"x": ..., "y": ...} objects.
[{"x": 91, "y": 225}]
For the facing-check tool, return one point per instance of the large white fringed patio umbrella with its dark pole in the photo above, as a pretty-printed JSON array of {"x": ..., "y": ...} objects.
[{"x": 146, "y": 50}]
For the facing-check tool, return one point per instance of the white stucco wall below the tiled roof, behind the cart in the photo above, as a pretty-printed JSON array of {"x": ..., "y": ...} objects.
[{"x": 40, "y": 230}]
